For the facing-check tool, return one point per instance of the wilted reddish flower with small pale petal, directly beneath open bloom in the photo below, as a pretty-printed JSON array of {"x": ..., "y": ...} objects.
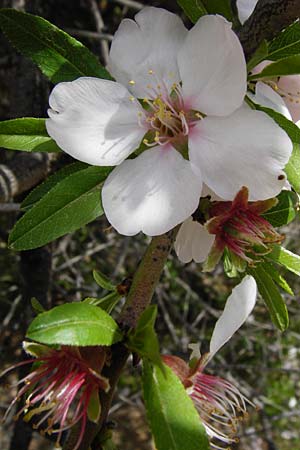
[{"x": 237, "y": 226}]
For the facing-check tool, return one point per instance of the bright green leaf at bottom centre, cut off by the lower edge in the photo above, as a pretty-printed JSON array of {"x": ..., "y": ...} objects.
[{"x": 173, "y": 419}]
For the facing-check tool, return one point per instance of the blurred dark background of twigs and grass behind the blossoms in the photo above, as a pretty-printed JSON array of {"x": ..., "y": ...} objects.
[{"x": 261, "y": 360}]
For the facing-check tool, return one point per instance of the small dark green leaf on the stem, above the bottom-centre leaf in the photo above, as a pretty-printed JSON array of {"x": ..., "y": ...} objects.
[{"x": 143, "y": 340}]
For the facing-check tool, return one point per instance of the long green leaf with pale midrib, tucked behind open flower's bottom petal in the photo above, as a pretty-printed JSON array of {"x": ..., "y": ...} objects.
[{"x": 70, "y": 204}]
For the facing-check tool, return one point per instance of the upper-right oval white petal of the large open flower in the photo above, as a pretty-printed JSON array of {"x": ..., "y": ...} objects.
[{"x": 212, "y": 67}]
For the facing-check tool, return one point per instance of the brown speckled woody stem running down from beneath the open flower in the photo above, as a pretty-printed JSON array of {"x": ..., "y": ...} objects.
[{"x": 140, "y": 295}]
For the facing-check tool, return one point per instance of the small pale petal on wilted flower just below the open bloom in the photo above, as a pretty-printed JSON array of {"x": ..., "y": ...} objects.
[{"x": 193, "y": 242}]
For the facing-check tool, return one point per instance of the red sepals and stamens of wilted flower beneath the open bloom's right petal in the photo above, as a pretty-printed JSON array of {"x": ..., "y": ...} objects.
[{"x": 239, "y": 227}]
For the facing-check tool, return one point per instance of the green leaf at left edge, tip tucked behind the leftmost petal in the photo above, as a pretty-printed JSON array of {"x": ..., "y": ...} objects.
[{"x": 27, "y": 134}]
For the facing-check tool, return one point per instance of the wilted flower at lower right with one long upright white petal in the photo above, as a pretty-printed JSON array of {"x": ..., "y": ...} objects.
[{"x": 219, "y": 403}]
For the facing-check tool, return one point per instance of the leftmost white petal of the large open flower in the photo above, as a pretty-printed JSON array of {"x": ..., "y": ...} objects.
[{"x": 94, "y": 121}]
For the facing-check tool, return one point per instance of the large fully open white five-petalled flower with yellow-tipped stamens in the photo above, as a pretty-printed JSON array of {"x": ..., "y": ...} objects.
[{"x": 190, "y": 86}]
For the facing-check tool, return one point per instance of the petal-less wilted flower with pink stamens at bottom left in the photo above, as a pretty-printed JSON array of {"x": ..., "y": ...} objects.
[{"x": 61, "y": 387}]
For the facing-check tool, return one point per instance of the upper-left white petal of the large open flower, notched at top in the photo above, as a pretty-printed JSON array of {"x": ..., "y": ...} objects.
[{"x": 151, "y": 42}]
